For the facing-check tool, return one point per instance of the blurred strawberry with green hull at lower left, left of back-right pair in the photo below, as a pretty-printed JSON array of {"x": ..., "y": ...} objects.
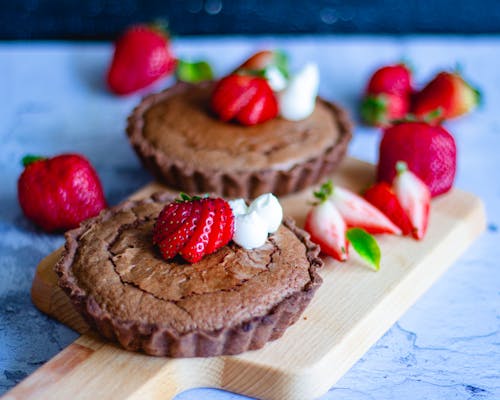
[{"x": 387, "y": 95}]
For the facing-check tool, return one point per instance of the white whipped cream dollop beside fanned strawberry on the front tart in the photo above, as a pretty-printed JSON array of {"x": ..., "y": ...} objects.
[{"x": 253, "y": 223}]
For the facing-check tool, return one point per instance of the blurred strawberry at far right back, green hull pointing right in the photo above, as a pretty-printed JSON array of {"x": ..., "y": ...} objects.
[{"x": 449, "y": 93}]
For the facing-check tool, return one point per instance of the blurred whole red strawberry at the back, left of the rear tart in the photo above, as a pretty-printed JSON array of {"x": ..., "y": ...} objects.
[{"x": 142, "y": 56}]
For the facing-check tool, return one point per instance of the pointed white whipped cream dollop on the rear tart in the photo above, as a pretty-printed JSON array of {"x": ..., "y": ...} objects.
[{"x": 298, "y": 99}]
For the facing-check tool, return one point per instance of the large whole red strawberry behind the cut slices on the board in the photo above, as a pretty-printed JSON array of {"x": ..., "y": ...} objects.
[{"x": 429, "y": 151}]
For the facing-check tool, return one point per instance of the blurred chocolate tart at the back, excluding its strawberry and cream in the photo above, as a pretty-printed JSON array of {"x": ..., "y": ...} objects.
[{"x": 179, "y": 139}]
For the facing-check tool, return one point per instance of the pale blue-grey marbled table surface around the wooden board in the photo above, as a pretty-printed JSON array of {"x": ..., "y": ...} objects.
[{"x": 447, "y": 346}]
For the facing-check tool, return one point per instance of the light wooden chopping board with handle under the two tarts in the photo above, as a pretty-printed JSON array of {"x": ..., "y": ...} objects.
[{"x": 350, "y": 311}]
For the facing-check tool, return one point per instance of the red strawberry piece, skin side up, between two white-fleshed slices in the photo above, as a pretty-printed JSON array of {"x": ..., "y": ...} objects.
[{"x": 383, "y": 197}]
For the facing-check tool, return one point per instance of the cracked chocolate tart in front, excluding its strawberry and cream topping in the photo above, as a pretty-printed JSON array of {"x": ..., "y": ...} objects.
[{"x": 231, "y": 301}]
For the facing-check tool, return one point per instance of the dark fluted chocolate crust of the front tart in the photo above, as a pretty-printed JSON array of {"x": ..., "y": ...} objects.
[{"x": 161, "y": 337}]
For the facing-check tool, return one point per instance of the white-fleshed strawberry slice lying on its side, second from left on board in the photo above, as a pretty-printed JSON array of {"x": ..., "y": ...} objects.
[{"x": 357, "y": 212}]
